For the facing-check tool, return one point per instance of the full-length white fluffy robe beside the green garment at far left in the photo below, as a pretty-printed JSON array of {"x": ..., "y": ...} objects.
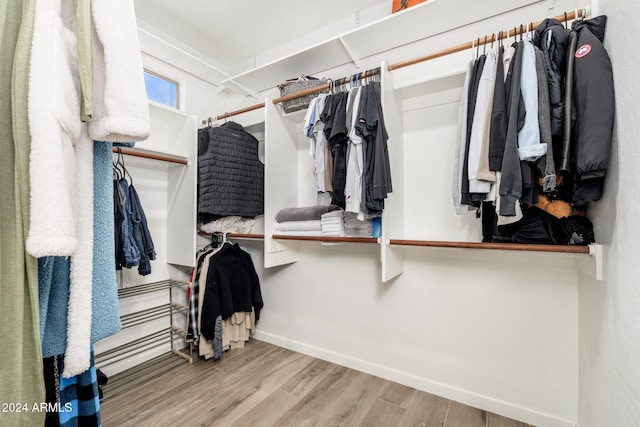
[{"x": 61, "y": 169}]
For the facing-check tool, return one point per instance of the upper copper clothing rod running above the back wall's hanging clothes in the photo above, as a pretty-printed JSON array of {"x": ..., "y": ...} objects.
[{"x": 515, "y": 31}]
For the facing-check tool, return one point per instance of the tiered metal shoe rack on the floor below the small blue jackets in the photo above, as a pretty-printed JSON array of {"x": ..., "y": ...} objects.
[{"x": 160, "y": 337}]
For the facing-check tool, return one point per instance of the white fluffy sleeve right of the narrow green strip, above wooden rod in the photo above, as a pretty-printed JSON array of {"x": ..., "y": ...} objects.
[{"x": 120, "y": 108}]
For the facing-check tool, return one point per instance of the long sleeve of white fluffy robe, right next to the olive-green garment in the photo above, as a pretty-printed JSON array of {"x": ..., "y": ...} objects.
[{"x": 54, "y": 128}]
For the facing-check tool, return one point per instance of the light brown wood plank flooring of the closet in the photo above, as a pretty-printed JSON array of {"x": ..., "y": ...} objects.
[{"x": 264, "y": 385}]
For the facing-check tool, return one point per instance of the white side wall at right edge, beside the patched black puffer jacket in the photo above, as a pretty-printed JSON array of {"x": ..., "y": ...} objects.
[{"x": 610, "y": 310}]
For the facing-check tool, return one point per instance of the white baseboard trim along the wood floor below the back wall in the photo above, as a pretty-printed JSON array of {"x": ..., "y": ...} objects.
[{"x": 466, "y": 397}]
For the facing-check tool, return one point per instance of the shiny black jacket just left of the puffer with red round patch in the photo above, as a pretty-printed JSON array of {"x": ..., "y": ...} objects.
[{"x": 552, "y": 38}]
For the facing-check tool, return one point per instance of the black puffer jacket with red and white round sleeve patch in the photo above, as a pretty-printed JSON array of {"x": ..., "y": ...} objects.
[{"x": 594, "y": 109}]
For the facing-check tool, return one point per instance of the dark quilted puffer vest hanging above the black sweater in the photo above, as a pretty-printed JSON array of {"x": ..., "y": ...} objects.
[{"x": 230, "y": 174}]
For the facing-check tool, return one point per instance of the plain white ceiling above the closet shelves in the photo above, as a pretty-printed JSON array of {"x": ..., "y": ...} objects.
[{"x": 233, "y": 32}]
